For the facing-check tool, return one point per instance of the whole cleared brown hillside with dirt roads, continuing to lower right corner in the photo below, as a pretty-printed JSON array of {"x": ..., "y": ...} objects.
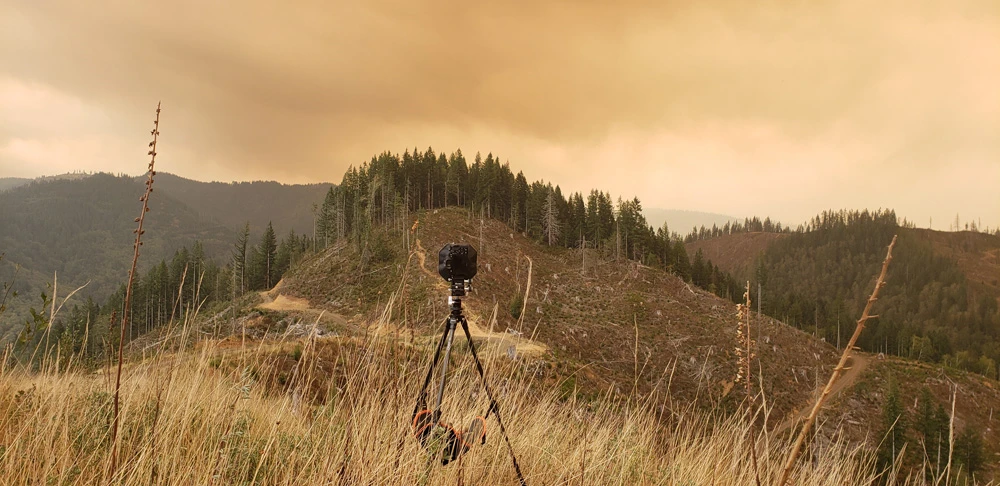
[{"x": 612, "y": 326}]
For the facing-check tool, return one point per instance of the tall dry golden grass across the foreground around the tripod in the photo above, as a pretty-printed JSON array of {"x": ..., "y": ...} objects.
[{"x": 338, "y": 411}]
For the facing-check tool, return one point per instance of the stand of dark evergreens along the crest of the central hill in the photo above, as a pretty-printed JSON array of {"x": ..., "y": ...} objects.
[{"x": 383, "y": 191}]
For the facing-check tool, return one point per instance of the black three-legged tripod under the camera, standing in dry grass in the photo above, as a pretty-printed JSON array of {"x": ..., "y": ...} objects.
[{"x": 425, "y": 421}]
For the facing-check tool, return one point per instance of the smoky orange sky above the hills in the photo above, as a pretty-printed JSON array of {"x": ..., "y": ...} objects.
[{"x": 779, "y": 108}]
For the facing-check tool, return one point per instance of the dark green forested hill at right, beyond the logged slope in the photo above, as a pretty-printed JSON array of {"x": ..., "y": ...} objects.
[{"x": 935, "y": 308}]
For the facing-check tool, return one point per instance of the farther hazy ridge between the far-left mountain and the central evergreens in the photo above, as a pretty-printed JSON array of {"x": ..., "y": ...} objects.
[{"x": 288, "y": 207}]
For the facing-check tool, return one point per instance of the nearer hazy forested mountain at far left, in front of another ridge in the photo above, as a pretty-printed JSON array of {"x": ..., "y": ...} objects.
[{"x": 82, "y": 230}]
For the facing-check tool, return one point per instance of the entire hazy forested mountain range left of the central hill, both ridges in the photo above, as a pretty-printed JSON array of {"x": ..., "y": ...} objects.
[{"x": 79, "y": 226}]
